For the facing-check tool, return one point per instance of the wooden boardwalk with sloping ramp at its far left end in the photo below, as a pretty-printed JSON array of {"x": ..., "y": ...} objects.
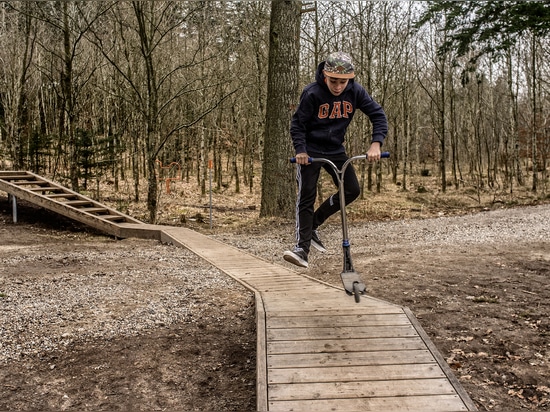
[{"x": 317, "y": 349}]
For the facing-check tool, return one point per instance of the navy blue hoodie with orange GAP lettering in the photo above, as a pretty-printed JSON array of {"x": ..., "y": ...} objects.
[{"x": 321, "y": 119}]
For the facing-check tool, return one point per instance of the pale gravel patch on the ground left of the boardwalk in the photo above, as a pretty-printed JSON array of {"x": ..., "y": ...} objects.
[{"x": 52, "y": 296}]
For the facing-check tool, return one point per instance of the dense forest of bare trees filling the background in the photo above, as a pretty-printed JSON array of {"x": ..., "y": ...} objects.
[{"x": 155, "y": 92}]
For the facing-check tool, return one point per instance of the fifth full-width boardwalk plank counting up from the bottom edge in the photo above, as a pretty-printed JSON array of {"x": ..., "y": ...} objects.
[{"x": 338, "y": 345}]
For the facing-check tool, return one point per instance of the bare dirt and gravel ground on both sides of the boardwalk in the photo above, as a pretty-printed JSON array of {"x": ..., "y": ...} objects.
[{"x": 479, "y": 285}]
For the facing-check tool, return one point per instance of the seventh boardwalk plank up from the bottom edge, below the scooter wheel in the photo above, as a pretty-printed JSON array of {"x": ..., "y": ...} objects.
[{"x": 316, "y": 321}]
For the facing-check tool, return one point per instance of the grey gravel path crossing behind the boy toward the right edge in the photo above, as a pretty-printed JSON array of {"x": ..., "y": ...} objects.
[{"x": 503, "y": 226}]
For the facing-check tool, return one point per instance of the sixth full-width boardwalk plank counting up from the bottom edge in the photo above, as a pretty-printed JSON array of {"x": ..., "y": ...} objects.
[{"x": 345, "y": 332}]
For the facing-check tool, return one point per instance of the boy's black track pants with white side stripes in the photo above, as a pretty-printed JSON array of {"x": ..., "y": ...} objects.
[{"x": 306, "y": 218}]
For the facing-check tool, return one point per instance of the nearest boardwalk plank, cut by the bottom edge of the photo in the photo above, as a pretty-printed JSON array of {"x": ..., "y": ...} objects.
[{"x": 410, "y": 404}]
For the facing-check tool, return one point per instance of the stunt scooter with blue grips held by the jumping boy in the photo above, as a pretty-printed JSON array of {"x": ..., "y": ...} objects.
[{"x": 351, "y": 280}]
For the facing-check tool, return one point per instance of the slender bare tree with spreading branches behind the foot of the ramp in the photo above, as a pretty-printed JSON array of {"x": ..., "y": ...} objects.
[{"x": 157, "y": 85}]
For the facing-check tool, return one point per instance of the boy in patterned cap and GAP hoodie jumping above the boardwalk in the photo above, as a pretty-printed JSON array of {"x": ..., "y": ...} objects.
[{"x": 317, "y": 129}]
